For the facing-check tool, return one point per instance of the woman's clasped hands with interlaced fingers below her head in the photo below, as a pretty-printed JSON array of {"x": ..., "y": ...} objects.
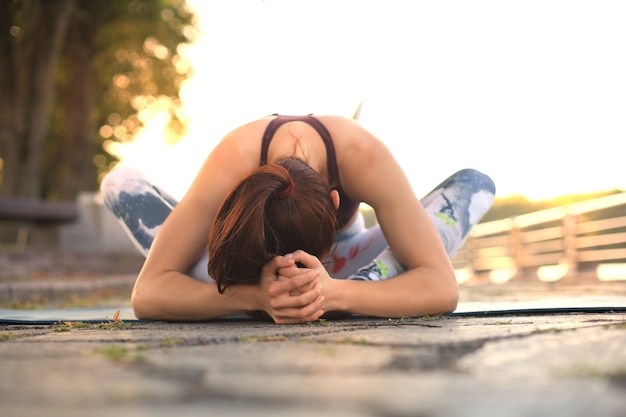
[{"x": 292, "y": 294}]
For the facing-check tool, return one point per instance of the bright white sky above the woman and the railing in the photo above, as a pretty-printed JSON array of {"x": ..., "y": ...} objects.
[{"x": 531, "y": 92}]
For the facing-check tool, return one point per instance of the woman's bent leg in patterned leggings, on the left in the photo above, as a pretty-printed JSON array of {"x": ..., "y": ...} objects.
[{"x": 141, "y": 208}]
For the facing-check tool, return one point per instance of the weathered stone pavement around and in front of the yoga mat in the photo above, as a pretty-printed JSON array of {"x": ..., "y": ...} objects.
[{"x": 512, "y": 365}]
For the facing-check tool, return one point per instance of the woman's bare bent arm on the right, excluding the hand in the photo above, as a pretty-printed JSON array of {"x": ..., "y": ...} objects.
[{"x": 370, "y": 173}]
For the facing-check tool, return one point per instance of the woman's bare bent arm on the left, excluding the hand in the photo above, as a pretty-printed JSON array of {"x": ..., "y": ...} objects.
[{"x": 163, "y": 290}]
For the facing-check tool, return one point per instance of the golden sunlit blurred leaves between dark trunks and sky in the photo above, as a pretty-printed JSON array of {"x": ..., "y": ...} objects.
[{"x": 139, "y": 68}]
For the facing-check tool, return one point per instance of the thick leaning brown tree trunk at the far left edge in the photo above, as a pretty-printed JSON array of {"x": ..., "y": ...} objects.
[{"x": 28, "y": 106}]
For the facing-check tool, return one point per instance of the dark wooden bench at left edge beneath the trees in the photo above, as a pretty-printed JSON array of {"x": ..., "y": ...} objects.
[{"x": 29, "y": 214}]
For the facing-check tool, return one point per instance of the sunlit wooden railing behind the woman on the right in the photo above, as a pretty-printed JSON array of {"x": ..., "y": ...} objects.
[{"x": 586, "y": 239}]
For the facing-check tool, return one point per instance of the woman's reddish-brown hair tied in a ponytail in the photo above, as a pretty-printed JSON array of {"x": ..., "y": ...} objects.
[{"x": 277, "y": 209}]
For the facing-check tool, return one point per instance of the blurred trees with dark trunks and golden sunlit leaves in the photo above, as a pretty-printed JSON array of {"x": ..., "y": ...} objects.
[{"x": 80, "y": 73}]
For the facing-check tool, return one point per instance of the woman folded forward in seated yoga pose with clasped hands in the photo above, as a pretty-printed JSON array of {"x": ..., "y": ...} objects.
[{"x": 237, "y": 205}]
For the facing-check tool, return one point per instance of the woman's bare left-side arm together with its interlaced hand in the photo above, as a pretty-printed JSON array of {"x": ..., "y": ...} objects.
[{"x": 164, "y": 291}]
